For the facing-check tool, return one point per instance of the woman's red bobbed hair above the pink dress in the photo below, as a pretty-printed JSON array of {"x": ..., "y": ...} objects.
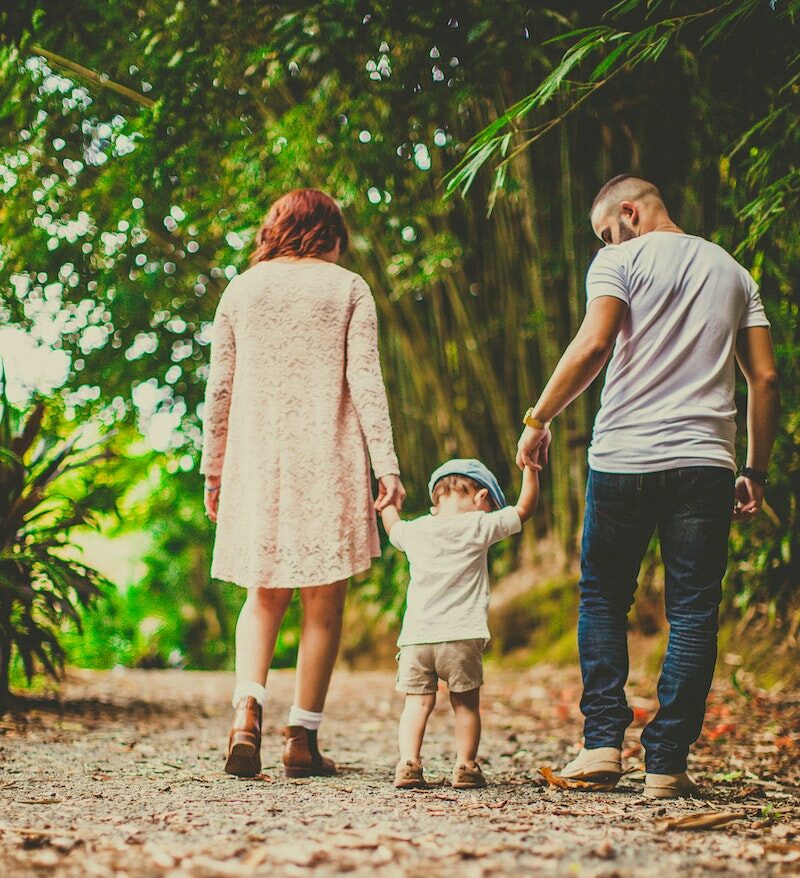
[{"x": 304, "y": 222}]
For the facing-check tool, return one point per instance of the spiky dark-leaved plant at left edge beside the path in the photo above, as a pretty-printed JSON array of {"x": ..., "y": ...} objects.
[{"x": 44, "y": 495}]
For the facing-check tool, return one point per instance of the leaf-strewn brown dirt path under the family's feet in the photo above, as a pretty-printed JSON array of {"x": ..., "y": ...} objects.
[{"x": 122, "y": 777}]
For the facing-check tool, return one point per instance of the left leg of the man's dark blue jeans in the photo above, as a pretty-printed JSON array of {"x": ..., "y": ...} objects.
[{"x": 618, "y": 524}]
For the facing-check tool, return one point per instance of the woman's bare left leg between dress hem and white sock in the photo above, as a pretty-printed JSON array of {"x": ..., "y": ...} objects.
[{"x": 257, "y": 632}]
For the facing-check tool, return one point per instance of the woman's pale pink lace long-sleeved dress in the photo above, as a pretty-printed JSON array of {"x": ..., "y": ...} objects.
[{"x": 295, "y": 409}]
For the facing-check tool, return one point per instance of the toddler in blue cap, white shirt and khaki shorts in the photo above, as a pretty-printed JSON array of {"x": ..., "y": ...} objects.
[{"x": 445, "y": 629}]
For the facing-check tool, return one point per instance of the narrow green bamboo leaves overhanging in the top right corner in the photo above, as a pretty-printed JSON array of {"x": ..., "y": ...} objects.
[{"x": 622, "y": 48}]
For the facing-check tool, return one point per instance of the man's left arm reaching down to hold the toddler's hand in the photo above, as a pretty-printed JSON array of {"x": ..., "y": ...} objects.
[{"x": 581, "y": 363}]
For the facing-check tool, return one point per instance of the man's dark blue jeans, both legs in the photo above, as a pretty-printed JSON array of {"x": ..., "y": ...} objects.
[{"x": 691, "y": 509}]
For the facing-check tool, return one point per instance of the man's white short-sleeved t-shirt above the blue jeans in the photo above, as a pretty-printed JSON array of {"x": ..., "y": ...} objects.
[{"x": 668, "y": 399}]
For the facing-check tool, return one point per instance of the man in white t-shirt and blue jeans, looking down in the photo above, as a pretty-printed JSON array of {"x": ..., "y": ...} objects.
[{"x": 675, "y": 310}]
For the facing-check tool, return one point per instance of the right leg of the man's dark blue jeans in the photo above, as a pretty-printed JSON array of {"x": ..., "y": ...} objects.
[{"x": 694, "y": 546}]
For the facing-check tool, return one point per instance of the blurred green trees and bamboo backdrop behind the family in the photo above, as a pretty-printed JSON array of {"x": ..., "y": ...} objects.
[{"x": 140, "y": 145}]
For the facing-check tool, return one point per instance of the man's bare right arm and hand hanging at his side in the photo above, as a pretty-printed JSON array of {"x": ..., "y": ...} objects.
[{"x": 756, "y": 359}]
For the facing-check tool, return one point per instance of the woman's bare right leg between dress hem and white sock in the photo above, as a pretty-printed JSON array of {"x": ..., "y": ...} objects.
[{"x": 323, "y": 607}]
